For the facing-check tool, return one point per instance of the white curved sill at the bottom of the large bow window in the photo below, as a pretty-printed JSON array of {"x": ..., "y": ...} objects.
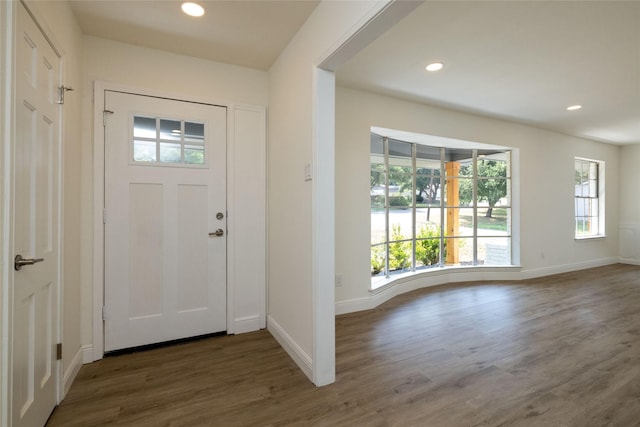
[{"x": 444, "y": 275}]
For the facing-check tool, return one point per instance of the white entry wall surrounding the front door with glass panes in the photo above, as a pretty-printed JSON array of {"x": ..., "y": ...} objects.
[{"x": 245, "y": 91}]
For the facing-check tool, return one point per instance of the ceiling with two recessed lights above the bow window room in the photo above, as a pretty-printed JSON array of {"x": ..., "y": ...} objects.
[{"x": 521, "y": 61}]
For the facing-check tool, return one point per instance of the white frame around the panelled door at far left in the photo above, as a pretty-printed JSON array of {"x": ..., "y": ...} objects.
[{"x": 8, "y": 19}]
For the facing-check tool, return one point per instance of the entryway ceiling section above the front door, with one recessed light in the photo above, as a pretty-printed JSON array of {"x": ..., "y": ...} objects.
[{"x": 240, "y": 32}]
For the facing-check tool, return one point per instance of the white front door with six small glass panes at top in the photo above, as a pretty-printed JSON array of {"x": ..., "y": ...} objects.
[{"x": 165, "y": 220}]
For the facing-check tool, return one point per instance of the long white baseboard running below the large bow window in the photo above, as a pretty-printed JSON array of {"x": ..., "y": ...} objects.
[{"x": 442, "y": 277}]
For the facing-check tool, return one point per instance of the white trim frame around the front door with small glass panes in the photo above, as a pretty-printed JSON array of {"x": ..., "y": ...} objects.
[{"x": 96, "y": 351}]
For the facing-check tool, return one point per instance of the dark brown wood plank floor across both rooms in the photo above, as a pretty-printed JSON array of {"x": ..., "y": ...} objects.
[{"x": 557, "y": 351}]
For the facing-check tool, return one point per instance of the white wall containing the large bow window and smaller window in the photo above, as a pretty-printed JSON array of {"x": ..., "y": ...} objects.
[{"x": 545, "y": 169}]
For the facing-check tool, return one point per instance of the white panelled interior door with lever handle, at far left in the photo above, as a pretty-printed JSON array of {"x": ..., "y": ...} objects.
[{"x": 35, "y": 227}]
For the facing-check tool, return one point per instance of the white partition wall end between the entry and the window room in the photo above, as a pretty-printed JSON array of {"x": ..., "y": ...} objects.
[{"x": 298, "y": 316}]
